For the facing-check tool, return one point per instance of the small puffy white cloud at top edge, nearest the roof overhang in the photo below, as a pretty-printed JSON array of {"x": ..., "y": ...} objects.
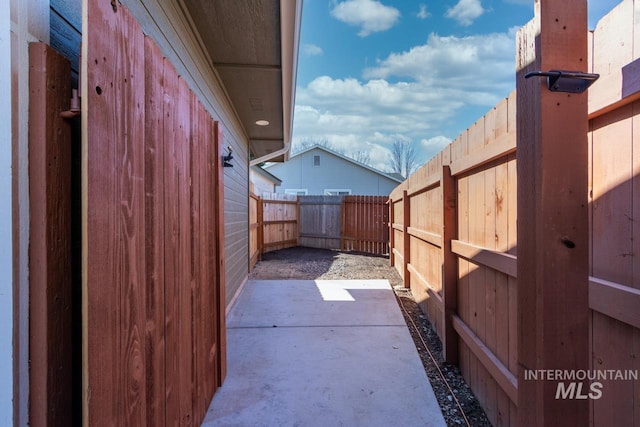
[{"x": 370, "y": 15}]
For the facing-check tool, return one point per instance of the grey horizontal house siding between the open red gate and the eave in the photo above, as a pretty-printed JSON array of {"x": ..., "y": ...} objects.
[{"x": 166, "y": 24}]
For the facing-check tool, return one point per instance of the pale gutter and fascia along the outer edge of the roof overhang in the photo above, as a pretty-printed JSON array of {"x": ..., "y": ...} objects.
[{"x": 290, "y": 18}]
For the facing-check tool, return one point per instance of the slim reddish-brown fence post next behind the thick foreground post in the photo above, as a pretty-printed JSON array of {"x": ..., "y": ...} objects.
[{"x": 449, "y": 265}]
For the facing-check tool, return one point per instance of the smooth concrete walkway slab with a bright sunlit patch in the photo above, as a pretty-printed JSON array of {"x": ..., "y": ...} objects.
[{"x": 321, "y": 353}]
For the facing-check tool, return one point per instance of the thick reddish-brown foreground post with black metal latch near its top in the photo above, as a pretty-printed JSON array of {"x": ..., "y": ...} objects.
[{"x": 553, "y": 233}]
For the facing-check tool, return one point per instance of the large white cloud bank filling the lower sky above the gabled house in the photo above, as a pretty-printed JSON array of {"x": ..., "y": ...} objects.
[{"x": 415, "y": 95}]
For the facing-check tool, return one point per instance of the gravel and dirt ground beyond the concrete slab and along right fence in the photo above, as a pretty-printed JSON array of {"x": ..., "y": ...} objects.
[{"x": 459, "y": 405}]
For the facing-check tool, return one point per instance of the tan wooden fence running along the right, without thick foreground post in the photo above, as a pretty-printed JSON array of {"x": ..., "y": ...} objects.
[{"x": 453, "y": 236}]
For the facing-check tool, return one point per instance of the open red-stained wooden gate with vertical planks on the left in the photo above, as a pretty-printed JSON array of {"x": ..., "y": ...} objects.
[{"x": 153, "y": 282}]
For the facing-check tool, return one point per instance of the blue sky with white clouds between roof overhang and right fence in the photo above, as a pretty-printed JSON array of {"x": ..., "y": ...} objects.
[{"x": 371, "y": 72}]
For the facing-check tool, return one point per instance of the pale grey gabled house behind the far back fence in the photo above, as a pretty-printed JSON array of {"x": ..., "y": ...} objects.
[{"x": 321, "y": 171}]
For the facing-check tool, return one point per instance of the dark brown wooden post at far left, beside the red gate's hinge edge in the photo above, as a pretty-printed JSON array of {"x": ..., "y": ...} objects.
[{"x": 50, "y": 273}]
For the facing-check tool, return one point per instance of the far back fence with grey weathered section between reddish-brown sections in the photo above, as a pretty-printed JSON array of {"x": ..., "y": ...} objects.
[{"x": 350, "y": 223}]
